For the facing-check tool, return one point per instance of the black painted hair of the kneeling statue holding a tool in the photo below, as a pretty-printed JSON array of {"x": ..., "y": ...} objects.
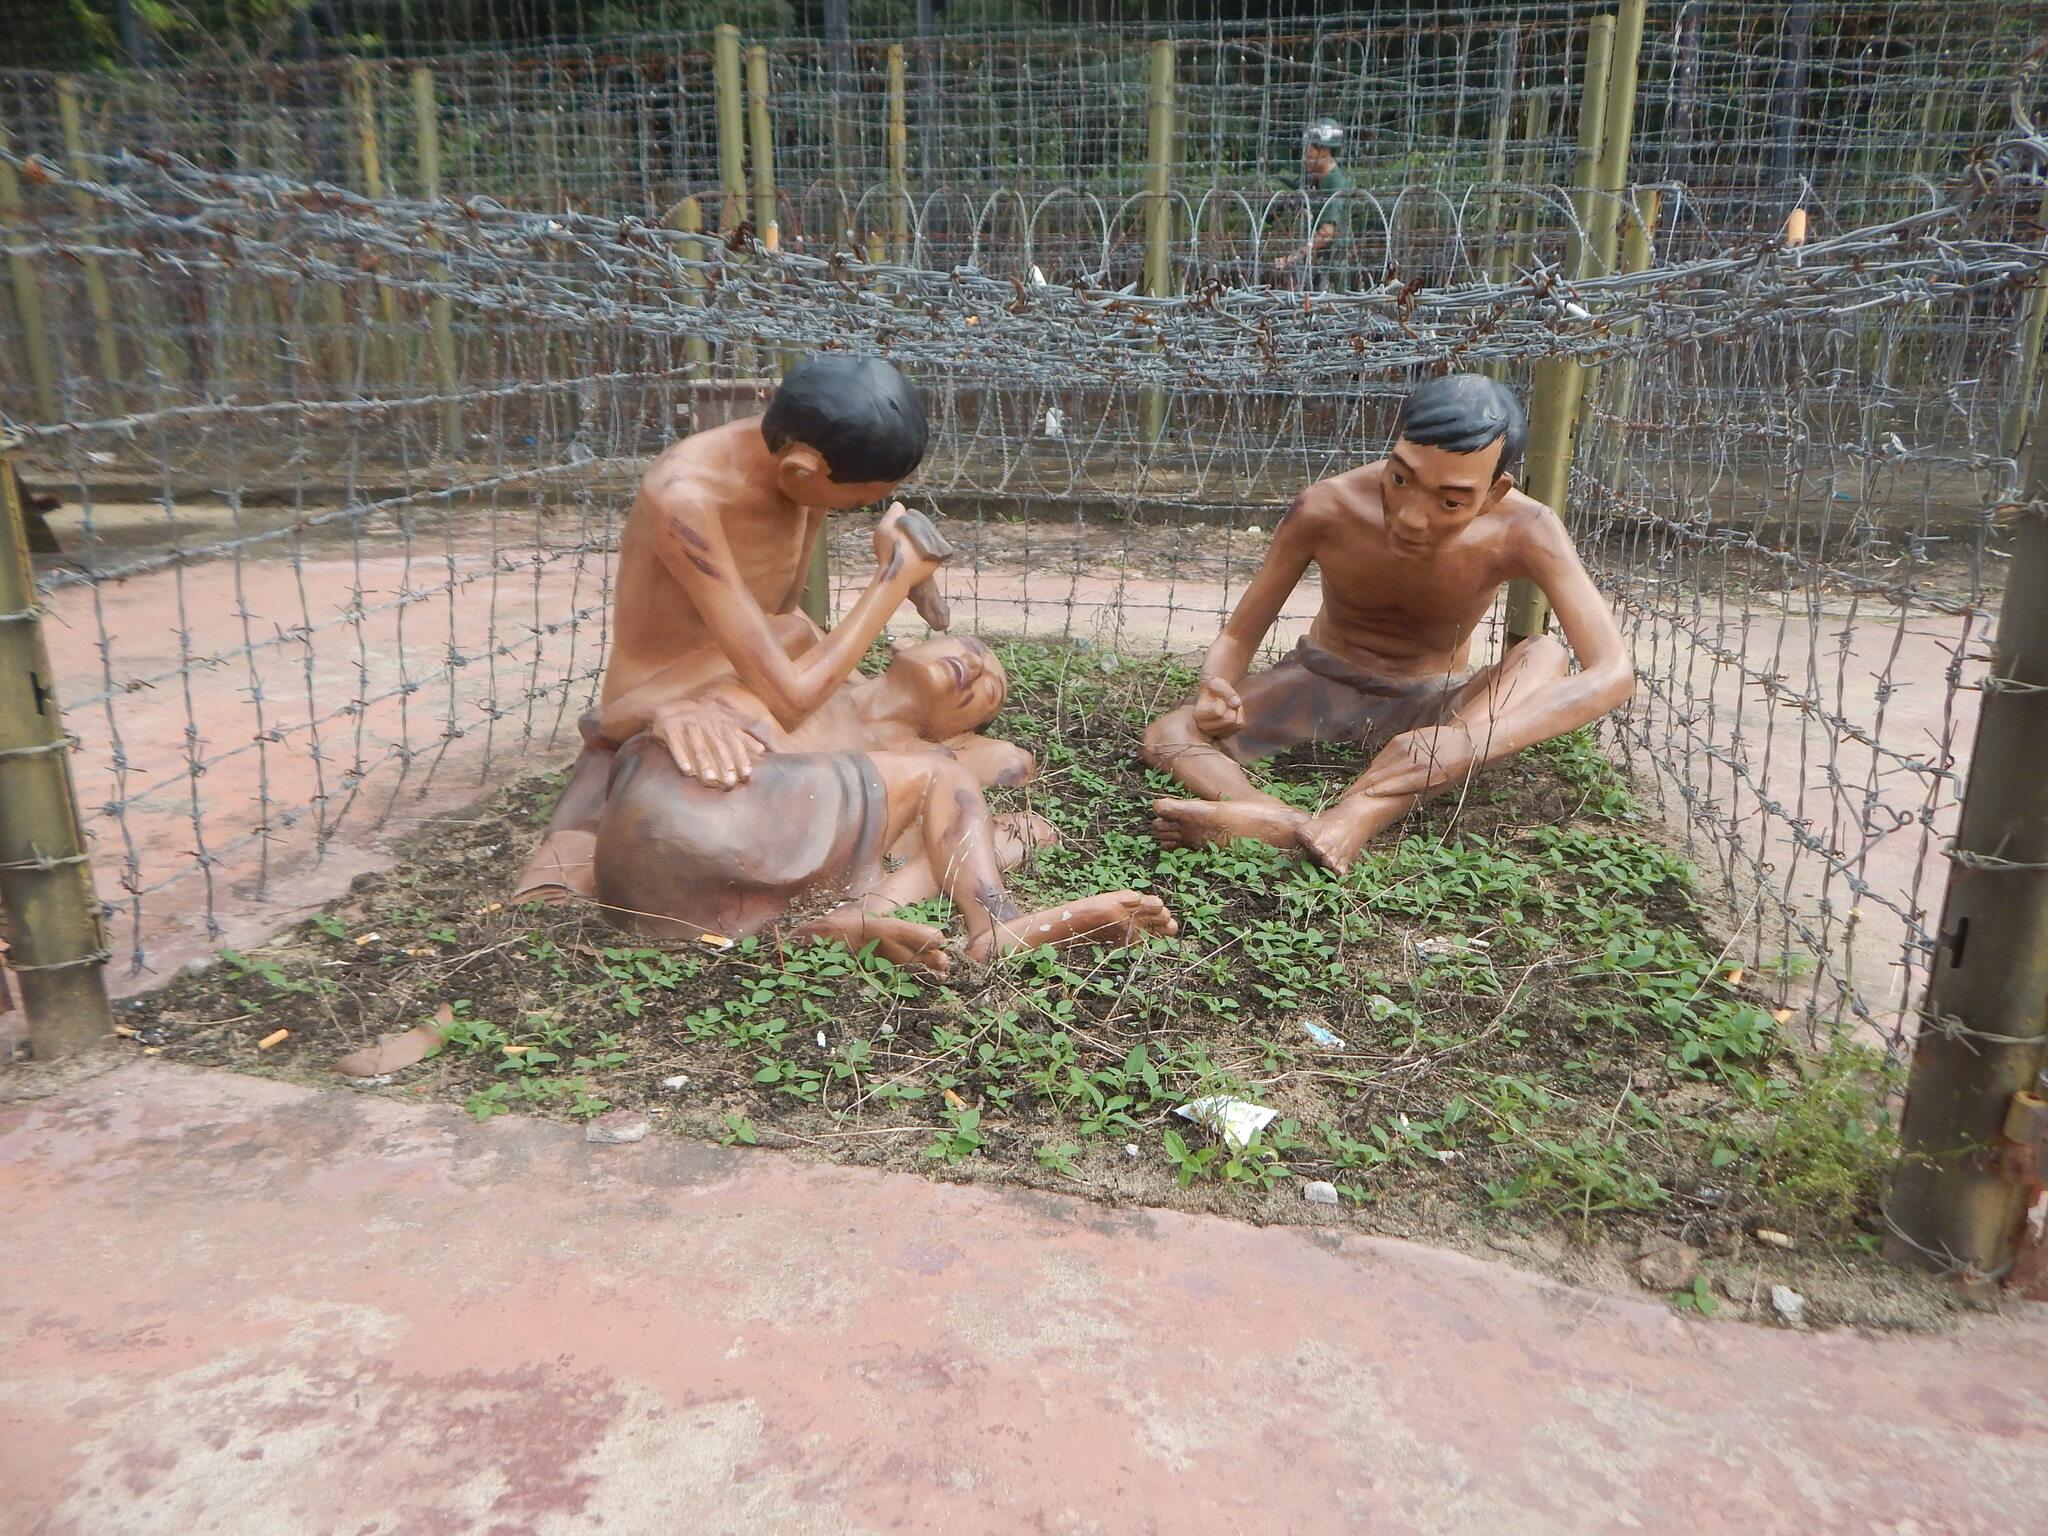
[{"x": 859, "y": 413}]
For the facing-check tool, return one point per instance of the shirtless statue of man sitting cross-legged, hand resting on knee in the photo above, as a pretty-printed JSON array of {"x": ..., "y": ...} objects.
[{"x": 1412, "y": 552}]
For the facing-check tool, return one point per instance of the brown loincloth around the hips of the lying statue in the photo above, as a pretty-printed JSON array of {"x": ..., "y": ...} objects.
[{"x": 677, "y": 859}]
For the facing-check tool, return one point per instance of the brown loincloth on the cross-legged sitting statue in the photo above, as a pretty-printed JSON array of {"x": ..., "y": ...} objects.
[{"x": 1318, "y": 697}]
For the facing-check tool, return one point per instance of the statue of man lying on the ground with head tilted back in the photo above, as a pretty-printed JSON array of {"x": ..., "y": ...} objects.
[{"x": 706, "y": 835}]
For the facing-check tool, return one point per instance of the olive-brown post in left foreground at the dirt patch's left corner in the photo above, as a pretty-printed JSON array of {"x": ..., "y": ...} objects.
[{"x": 56, "y": 939}]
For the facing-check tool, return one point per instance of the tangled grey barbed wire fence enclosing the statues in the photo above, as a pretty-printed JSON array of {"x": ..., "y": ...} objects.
[{"x": 341, "y": 464}]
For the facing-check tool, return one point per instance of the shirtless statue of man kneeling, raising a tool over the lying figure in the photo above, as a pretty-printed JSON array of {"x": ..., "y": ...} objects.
[{"x": 718, "y": 544}]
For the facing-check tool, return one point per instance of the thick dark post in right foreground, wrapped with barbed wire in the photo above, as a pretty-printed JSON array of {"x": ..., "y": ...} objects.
[{"x": 1973, "y": 1127}]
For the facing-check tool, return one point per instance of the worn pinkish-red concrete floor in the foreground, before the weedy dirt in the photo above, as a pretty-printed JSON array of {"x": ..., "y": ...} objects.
[{"x": 241, "y": 1308}]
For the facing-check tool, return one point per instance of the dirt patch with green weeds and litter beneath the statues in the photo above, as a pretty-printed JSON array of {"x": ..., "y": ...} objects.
[{"x": 1510, "y": 1029}]
